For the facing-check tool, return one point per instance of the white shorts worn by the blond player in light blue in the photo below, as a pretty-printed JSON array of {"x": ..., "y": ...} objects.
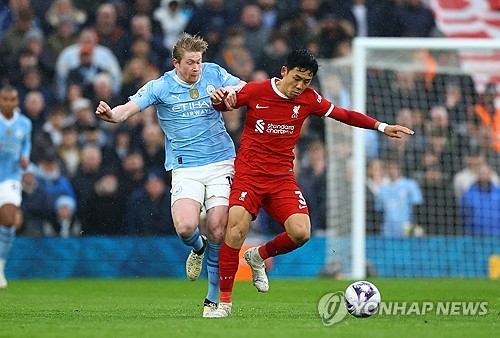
[{"x": 209, "y": 184}]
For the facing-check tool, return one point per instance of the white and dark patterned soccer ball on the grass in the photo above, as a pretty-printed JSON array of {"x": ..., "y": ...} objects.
[{"x": 362, "y": 299}]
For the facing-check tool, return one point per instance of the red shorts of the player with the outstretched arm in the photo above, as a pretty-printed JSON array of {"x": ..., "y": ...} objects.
[{"x": 280, "y": 197}]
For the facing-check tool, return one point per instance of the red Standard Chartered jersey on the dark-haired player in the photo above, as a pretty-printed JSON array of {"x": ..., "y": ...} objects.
[{"x": 272, "y": 127}]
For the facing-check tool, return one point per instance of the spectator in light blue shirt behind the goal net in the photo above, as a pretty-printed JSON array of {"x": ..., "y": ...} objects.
[{"x": 397, "y": 200}]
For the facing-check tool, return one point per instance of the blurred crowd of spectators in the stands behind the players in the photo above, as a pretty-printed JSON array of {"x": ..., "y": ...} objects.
[{"x": 94, "y": 178}]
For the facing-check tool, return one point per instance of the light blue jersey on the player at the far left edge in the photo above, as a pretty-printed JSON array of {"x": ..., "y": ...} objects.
[{"x": 15, "y": 141}]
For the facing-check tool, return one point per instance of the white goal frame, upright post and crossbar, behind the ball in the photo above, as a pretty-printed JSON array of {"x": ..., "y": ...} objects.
[{"x": 359, "y": 73}]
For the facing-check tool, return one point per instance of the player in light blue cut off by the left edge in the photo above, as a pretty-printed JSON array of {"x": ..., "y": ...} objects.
[{"x": 15, "y": 149}]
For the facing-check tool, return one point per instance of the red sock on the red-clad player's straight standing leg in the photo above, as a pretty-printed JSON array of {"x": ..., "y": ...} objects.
[{"x": 228, "y": 265}]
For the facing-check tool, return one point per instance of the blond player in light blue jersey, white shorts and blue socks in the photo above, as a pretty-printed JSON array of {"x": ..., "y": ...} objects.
[{"x": 198, "y": 150}]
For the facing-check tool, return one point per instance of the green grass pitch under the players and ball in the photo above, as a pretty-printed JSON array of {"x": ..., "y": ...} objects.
[{"x": 173, "y": 308}]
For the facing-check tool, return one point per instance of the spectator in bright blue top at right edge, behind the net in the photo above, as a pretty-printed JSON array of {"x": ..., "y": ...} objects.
[{"x": 479, "y": 205}]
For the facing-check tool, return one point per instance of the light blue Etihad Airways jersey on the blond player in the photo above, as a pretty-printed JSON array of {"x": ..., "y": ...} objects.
[{"x": 195, "y": 133}]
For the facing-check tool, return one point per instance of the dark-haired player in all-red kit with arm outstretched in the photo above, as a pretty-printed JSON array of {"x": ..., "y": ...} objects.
[{"x": 276, "y": 110}]
